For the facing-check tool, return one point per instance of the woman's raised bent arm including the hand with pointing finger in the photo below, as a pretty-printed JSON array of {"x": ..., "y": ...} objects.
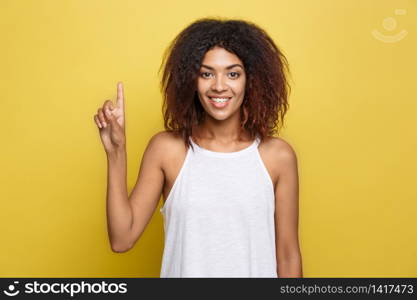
[{"x": 127, "y": 216}]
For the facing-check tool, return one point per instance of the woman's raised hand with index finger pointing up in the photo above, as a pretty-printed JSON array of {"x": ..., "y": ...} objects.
[{"x": 110, "y": 120}]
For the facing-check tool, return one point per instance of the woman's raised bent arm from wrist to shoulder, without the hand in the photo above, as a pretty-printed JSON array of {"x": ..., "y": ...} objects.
[{"x": 127, "y": 217}]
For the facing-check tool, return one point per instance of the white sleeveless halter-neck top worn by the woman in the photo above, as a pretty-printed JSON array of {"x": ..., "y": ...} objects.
[{"x": 219, "y": 216}]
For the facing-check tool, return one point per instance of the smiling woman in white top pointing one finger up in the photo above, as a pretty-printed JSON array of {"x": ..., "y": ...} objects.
[{"x": 230, "y": 188}]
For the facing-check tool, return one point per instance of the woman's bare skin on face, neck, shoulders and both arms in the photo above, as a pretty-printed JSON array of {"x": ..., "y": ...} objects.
[{"x": 220, "y": 76}]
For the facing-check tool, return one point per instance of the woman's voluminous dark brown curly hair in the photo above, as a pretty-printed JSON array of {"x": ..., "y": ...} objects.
[{"x": 265, "y": 102}]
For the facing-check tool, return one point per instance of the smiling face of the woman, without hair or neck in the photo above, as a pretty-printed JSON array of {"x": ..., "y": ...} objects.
[{"x": 221, "y": 83}]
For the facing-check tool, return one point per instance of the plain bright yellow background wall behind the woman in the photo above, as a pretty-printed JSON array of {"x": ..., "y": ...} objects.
[{"x": 351, "y": 121}]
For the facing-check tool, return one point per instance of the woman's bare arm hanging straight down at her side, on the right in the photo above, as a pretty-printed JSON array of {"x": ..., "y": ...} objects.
[{"x": 289, "y": 262}]
